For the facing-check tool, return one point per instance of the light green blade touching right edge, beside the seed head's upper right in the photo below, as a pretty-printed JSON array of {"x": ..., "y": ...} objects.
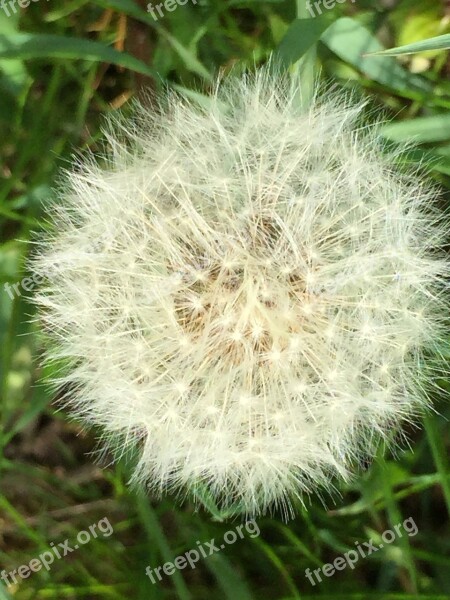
[{"x": 420, "y": 130}]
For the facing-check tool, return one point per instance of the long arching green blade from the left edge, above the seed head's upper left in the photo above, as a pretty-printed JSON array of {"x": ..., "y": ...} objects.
[{"x": 29, "y": 45}]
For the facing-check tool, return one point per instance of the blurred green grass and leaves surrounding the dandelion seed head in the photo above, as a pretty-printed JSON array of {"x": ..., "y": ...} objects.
[{"x": 63, "y": 66}]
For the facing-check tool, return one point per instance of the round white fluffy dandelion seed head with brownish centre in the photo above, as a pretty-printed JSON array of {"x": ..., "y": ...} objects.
[{"x": 246, "y": 290}]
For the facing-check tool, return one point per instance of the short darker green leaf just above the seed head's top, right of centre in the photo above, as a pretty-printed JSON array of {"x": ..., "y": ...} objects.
[{"x": 299, "y": 38}]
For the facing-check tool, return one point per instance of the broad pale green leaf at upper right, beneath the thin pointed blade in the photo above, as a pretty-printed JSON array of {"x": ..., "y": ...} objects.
[{"x": 352, "y": 42}]
